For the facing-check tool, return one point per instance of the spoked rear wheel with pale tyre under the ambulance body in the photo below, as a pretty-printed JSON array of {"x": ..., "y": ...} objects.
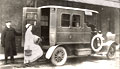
[{"x": 59, "y": 56}]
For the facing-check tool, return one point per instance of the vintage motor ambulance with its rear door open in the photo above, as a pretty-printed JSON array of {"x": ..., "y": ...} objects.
[{"x": 65, "y": 34}]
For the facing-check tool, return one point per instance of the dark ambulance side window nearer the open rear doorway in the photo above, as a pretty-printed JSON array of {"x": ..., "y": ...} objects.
[{"x": 65, "y": 20}]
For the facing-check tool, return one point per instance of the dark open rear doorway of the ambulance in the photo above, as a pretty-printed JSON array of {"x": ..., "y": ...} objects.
[{"x": 45, "y": 13}]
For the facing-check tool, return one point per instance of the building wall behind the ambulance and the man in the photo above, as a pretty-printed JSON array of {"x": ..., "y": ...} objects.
[{"x": 108, "y": 17}]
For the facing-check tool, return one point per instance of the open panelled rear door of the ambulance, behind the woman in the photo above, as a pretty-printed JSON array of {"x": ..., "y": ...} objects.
[{"x": 29, "y": 16}]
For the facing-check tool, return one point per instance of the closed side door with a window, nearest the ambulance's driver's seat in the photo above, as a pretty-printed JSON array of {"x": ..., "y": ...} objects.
[{"x": 77, "y": 28}]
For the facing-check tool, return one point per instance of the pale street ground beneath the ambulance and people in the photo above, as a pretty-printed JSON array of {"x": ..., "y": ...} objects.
[{"x": 94, "y": 62}]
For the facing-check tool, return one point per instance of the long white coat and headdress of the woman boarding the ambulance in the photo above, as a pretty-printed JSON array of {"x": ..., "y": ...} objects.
[{"x": 30, "y": 39}]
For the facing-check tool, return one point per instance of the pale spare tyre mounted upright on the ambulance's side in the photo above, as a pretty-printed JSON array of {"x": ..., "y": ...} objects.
[{"x": 92, "y": 43}]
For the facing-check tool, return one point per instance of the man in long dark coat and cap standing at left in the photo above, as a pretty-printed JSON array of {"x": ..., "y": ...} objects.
[{"x": 8, "y": 42}]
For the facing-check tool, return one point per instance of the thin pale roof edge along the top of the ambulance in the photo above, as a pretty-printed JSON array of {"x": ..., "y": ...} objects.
[{"x": 63, "y": 7}]
